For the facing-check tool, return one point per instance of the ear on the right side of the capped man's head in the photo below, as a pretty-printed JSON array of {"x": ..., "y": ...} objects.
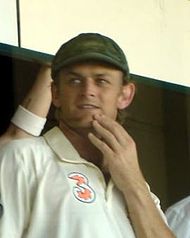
[{"x": 127, "y": 95}]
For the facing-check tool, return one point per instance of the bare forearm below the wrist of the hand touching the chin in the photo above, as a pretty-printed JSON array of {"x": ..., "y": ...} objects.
[{"x": 145, "y": 217}]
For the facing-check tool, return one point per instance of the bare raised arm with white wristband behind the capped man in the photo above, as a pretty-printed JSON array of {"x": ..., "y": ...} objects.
[{"x": 30, "y": 116}]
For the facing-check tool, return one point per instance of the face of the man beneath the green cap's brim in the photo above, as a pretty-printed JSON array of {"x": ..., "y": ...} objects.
[{"x": 85, "y": 90}]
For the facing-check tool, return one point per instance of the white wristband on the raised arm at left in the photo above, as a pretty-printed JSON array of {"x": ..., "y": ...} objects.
[{"x": 28, "y": 121}]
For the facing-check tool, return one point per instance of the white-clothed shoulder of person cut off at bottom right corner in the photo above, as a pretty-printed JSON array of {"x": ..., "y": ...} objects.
[{"x": 178, "y": 216}]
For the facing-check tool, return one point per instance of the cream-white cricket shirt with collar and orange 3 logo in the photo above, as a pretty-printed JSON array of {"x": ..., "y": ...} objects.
[{"x": 48, "y": 191}]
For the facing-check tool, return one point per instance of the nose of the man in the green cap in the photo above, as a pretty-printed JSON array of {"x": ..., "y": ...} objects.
[{"x": 88, "y": 88}]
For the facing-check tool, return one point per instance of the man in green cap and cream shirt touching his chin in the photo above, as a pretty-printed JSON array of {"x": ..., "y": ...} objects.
[{"x": 81, "y": 179}]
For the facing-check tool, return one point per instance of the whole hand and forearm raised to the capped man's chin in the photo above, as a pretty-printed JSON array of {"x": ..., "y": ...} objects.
[{"x": 121, "y": 160}]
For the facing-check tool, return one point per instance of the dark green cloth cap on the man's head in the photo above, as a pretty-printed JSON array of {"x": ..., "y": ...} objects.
[{"x": 89, "y": 46}]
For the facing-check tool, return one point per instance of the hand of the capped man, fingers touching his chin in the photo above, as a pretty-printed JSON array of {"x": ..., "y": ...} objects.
[{"x": 119, "y": 152}]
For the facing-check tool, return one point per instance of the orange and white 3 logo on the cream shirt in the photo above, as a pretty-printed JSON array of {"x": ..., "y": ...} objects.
[{"x": 82, "y": 191}]
